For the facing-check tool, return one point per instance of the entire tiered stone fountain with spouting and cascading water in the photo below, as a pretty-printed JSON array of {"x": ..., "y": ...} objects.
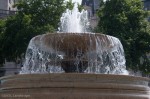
[{"x": 74, "y": 64}]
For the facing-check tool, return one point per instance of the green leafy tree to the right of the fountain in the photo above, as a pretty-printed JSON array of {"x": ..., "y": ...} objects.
[{"x": 126, "y": 20}]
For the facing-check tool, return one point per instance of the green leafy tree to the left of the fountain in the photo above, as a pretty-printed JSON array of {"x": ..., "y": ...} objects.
[{"x": 33, "y": 17}]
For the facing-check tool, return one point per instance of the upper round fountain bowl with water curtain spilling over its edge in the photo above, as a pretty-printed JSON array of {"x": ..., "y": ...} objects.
[{"x": 74, "y": 52}]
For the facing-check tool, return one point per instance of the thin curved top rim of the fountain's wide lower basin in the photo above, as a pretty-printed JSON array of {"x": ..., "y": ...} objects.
[{"x": 112, "y": 76}]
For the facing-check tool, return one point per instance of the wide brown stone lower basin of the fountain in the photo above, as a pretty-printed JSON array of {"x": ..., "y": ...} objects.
[{"x": 74, "y": 86}]
